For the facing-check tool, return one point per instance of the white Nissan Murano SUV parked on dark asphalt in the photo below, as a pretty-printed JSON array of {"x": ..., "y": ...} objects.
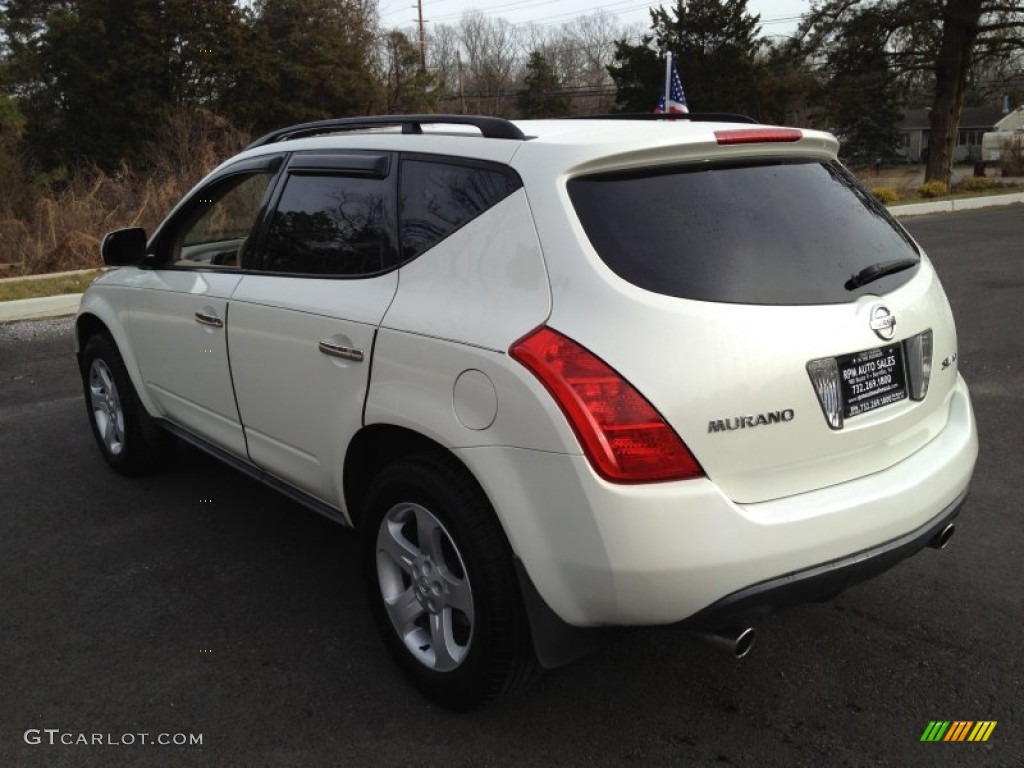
[{"x": 560, "y": 375}]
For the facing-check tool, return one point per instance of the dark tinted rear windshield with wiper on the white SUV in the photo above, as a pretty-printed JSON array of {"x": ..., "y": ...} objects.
[{"x": 780, "y": 233}]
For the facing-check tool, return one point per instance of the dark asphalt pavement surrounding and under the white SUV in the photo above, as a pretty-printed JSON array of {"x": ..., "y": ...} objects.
[{"x": 198, "y": 604}]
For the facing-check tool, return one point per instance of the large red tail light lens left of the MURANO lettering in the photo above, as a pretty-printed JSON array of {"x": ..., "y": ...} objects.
[{"x": 623, "y": 437}]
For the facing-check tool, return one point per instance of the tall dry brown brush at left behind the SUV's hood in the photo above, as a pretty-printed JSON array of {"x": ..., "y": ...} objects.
[{"x": 66, "y": 228}]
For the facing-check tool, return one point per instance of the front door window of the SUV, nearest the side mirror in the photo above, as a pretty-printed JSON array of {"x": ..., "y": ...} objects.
[{"x": 217, "y": 231}]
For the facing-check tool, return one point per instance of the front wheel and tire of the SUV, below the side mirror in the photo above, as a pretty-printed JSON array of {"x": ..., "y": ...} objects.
[{"x": 127, "y": 437}]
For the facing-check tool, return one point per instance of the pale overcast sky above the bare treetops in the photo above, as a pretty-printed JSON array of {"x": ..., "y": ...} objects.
[{"x": 778, "y": 17}]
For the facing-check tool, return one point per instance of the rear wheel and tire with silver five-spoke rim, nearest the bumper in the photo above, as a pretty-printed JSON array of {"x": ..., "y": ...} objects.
[{"x": 449, "y": 611}]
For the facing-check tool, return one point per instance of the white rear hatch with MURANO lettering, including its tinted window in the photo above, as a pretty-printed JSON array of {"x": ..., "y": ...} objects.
[{"x": 774, "y": 313}]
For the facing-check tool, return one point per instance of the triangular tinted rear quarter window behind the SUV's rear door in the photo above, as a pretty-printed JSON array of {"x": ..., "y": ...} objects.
[{"x": 439, "y": 198}]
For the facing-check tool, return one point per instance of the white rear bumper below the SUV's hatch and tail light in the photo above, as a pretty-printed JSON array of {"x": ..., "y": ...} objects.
[{"x": 604, "y": 556}]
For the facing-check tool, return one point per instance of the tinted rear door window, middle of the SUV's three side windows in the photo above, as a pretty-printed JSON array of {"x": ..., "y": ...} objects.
[{"x": 327, "y": 225}]
